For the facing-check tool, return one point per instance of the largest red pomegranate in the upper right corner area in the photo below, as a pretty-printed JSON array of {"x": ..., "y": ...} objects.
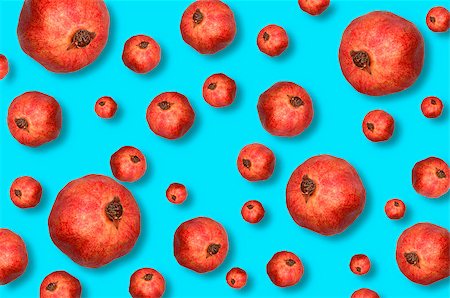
[{"x": 394, "y": 48}]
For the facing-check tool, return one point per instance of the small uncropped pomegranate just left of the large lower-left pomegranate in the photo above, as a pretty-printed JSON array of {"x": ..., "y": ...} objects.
[{"x": 25, "y": 192}]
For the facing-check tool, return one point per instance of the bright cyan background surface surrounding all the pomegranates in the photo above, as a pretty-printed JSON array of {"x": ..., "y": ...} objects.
[{"x": 205, "y": 159}]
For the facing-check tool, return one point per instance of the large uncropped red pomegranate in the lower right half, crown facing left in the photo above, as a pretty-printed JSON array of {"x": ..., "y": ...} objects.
[{"x": 336, "y": 201}]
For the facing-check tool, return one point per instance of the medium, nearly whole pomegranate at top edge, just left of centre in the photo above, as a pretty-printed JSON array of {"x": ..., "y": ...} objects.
[{"x": 208, "y": 26}]
